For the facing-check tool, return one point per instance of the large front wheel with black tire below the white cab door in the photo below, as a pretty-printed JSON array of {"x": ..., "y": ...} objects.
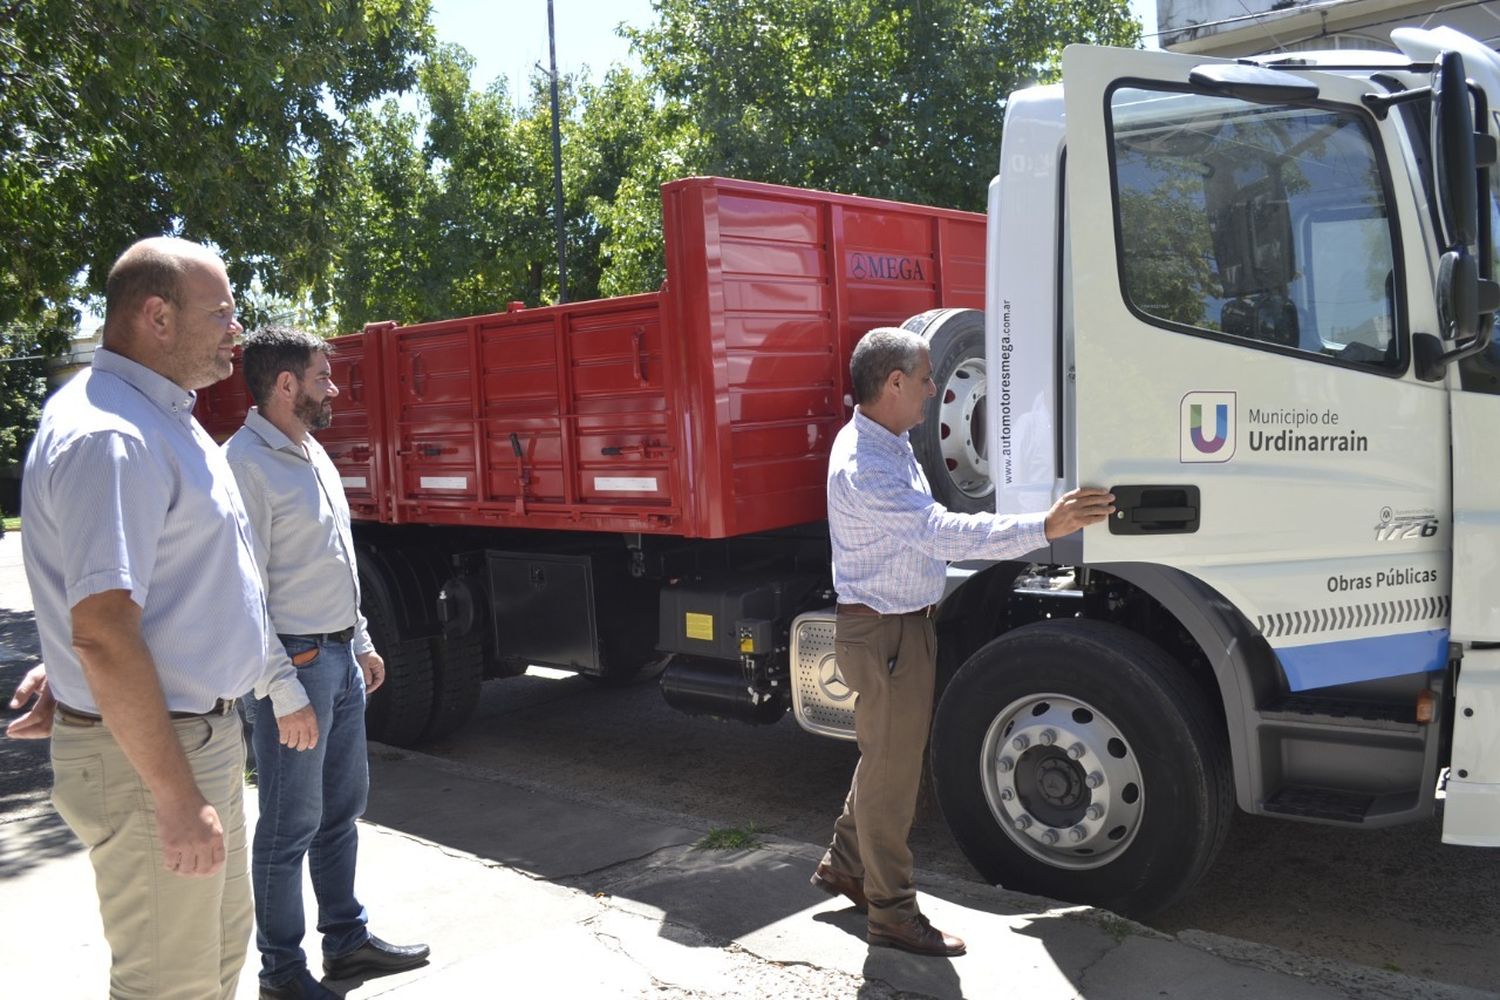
[{"x": 1078, "y": 761}]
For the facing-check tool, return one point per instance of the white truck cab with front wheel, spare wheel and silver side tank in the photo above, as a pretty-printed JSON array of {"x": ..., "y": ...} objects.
[{"x": 1253, "y": 299}]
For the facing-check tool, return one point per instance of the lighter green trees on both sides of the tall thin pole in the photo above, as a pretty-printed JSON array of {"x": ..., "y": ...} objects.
[{"x": 454, "y": 214}]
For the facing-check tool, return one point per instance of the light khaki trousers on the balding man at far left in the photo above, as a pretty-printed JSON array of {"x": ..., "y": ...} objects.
[{"x": 170, "y": 938}]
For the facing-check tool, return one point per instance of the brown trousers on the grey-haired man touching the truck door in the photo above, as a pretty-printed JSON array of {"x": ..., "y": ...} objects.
[{"x": 890, "y": 662}]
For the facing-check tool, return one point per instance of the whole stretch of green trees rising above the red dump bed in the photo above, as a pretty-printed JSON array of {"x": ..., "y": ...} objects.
[{"x": 871, "y": 97}]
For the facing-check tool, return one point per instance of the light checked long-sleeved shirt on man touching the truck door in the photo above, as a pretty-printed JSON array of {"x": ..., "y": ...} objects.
[{"x": 892, "y": 540}]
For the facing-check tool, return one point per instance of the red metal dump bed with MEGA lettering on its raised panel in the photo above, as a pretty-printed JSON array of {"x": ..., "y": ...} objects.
[{"x": 706, "y": 410}]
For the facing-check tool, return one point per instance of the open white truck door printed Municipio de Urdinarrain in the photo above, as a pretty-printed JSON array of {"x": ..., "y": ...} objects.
[{"x": 1247, "y": 269}]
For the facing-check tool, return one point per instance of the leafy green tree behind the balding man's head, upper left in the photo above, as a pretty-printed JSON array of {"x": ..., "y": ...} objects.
[{"x": 218, "y": 121}]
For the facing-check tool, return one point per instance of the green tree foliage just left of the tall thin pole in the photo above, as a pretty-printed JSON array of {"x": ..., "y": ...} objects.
[{"x": 448, "y": 214}]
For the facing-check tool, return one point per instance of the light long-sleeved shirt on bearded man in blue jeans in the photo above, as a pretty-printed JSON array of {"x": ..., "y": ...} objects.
[{"x": 304, "y": 545}]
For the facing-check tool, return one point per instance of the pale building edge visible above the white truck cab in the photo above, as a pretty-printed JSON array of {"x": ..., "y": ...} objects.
[{"x": 1247, "y": 28}]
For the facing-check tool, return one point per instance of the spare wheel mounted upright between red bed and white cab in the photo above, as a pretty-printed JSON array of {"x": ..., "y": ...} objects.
[{"x": 952, "y": 442}]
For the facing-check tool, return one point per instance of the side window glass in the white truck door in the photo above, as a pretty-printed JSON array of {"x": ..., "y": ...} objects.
[{"x": 1261, "y": 224}]
